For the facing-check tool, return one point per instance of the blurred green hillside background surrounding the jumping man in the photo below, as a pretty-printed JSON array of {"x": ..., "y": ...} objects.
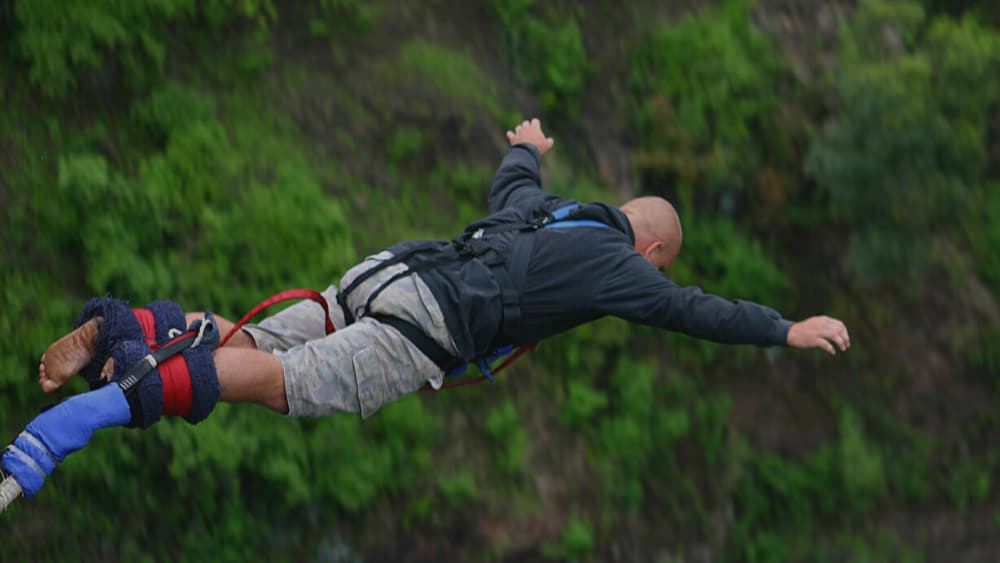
[{"x": 837, "y": 157}]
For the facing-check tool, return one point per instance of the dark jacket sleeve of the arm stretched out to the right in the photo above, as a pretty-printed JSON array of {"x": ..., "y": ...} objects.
[{"x": 637, "y": 292}]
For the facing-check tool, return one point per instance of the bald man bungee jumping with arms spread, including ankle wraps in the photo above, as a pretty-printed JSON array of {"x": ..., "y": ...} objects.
[{"x": 408, "y": 314}]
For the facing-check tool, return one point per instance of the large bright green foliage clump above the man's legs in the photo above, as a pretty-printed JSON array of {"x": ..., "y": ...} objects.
[{"x": 200, "y": 163}]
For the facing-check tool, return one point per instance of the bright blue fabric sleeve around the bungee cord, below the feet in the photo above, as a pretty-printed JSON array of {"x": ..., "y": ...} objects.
[{"x": 60, "y": 431}]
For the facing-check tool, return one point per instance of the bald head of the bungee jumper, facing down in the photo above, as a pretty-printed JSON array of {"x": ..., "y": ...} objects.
[{"x": 657, "y": 228}]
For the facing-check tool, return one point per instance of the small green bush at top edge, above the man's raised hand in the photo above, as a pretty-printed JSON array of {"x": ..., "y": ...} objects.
[{"x": 547, "y": 53}]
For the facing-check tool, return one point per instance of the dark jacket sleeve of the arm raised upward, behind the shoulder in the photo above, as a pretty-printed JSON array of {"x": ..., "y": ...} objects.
[{"x": 518, "y": 181}]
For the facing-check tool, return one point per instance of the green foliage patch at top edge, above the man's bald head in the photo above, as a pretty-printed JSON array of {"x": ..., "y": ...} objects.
[{"x": 705, "y": 89}]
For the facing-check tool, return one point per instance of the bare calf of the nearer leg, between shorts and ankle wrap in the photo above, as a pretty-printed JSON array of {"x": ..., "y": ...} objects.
[{"x": 251, "y": 376}]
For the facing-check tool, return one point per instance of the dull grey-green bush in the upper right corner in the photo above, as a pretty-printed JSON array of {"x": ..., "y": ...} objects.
[{"x": 903, "y": 158}]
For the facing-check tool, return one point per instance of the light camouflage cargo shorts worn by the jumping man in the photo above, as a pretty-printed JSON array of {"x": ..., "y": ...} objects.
[{"x": 359, "y": 367}]
